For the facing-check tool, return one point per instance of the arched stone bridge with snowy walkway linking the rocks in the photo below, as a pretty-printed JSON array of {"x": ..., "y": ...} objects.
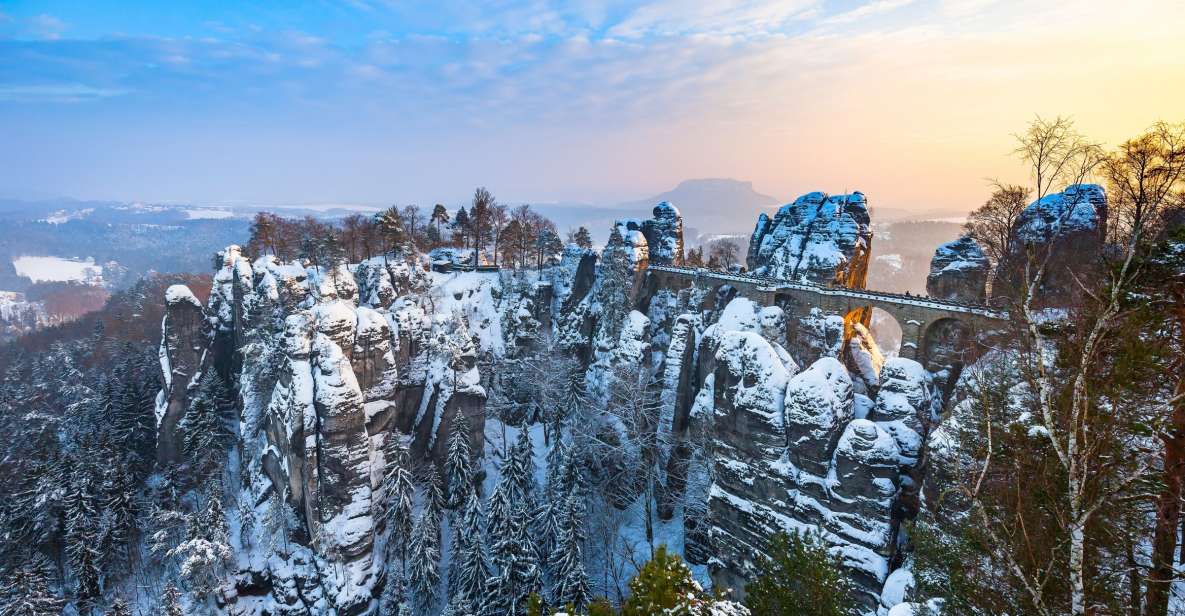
[{"x": 934, "y": 332}]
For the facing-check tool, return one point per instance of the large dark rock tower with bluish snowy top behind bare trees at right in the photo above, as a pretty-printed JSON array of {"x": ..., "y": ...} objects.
[{"x": 1066, "y": 233}]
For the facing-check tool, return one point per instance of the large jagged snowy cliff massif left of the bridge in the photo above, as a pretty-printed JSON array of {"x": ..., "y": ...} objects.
[{"x": 329, "y": 364}]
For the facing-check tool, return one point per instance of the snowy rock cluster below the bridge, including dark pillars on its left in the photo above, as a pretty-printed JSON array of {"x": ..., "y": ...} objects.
[{"x": 785, "y": 450}]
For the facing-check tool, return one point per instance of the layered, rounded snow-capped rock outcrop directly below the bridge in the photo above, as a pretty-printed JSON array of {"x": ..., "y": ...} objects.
[{"x": 804, "y": 452}]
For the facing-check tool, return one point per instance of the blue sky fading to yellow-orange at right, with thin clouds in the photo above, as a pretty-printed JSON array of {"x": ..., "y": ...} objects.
[{"x": 914, "y": 102}]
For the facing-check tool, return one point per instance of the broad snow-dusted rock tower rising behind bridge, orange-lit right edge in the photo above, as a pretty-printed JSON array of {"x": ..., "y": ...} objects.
[{"x": 819, "y": 239}]
